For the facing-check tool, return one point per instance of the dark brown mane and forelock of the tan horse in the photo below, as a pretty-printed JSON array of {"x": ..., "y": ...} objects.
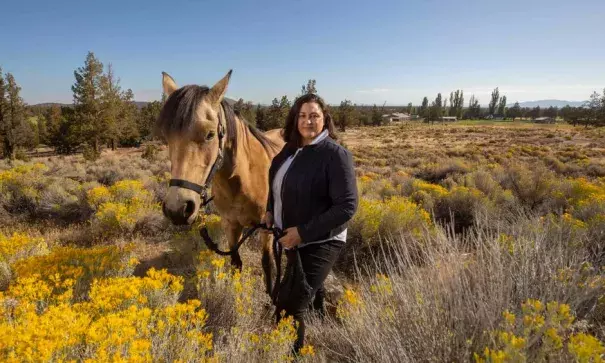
[{"x": 178, "y": 116}]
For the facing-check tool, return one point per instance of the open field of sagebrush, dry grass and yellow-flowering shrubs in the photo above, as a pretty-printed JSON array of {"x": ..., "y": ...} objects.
[{"x": 472, "y": 242}]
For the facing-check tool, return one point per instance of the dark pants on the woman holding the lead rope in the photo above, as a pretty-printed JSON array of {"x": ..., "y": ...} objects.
[{"x": 317, "y": 261}]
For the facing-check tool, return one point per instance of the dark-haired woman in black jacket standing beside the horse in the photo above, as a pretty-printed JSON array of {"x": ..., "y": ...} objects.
[{"x": 312, "y": 196}]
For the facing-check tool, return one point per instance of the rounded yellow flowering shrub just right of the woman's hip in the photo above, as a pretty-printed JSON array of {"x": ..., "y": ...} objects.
[{"x": 393, "y": 216}]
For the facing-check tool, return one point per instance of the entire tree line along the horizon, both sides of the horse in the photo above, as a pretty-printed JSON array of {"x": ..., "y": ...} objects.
[{"x": 104, "y": 115}]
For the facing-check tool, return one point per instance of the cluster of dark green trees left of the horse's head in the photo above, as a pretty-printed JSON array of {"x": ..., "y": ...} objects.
[{"x": 102, "y": 115}]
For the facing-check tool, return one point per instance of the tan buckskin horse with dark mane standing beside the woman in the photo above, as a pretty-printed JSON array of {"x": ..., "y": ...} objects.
[{"x": 211, "y": 147}]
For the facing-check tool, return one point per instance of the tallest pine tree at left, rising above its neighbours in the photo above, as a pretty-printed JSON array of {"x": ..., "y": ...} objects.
[{"x": 87, "y": 102}]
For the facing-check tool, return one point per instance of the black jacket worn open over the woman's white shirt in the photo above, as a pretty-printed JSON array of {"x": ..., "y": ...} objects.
[{"x": 319, "y": 191}]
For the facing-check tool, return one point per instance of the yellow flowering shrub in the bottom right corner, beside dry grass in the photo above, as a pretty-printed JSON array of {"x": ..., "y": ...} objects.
[{"x": 541, "y": 333}]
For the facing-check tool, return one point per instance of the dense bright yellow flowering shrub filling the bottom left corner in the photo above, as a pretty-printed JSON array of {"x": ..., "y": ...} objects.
[{"x": 39, "y": 324}]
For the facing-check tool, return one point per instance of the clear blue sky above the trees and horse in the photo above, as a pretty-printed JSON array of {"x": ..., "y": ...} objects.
[{"x": 365, "y": 51}]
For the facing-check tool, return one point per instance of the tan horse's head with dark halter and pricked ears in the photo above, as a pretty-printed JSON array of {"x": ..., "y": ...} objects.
[{"x": 192, "y": 124}]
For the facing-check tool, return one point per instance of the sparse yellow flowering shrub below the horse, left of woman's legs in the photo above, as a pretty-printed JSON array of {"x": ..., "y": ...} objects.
[{"x": 232, "y": 298}]
